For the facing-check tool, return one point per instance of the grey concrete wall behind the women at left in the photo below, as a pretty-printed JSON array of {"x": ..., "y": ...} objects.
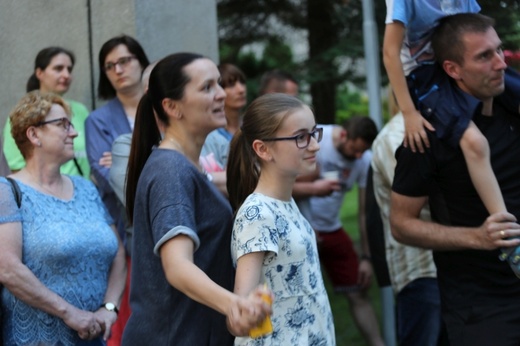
[{"x": 82, "y": 26}]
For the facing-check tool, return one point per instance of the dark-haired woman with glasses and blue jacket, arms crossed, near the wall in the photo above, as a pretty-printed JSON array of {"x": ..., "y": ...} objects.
[{"x": 121, "y": 64}]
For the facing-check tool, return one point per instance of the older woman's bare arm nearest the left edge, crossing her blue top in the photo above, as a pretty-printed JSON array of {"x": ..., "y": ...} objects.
[{"x": 22, "y": 283}]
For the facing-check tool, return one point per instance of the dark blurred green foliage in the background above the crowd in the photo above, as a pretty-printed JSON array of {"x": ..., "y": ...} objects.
[{"x": 332, "y": 70}]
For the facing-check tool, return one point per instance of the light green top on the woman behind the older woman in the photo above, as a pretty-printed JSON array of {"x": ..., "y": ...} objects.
[{"x": 16, "y": 161}]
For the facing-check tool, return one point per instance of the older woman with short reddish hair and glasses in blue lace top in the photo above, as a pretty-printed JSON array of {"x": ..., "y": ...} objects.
[{"x": 62, "y": 264}]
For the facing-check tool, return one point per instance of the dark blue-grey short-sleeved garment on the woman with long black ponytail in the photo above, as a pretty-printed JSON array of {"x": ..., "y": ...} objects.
[{"x": 174, "y": 198}]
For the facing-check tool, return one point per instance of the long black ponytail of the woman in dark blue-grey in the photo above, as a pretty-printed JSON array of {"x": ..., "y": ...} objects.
[{"x": 145, "y": 136}]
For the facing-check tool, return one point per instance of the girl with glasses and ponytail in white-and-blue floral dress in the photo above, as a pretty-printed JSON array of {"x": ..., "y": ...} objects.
[{"x": 272, "y": 243}]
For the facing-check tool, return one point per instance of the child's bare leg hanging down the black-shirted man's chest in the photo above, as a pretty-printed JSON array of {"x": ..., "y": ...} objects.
[{"x": 476, "y": 152}]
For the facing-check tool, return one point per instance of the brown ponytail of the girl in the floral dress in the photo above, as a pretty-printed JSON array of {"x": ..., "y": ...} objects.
[{"x": 242, "y": 171}]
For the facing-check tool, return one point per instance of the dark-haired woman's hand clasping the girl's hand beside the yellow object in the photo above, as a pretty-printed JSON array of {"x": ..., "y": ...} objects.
[{"x": 248, "y": 312}]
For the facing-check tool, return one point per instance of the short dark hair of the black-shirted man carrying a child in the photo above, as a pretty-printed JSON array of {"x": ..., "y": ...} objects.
[{"x": 447, "y": 41}]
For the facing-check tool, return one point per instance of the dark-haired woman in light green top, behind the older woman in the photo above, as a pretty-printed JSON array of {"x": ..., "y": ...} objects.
[{"x": 53, "y": 73}]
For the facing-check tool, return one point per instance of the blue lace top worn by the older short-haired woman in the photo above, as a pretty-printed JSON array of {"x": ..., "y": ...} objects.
[{"x": 69, "y": 246}]
